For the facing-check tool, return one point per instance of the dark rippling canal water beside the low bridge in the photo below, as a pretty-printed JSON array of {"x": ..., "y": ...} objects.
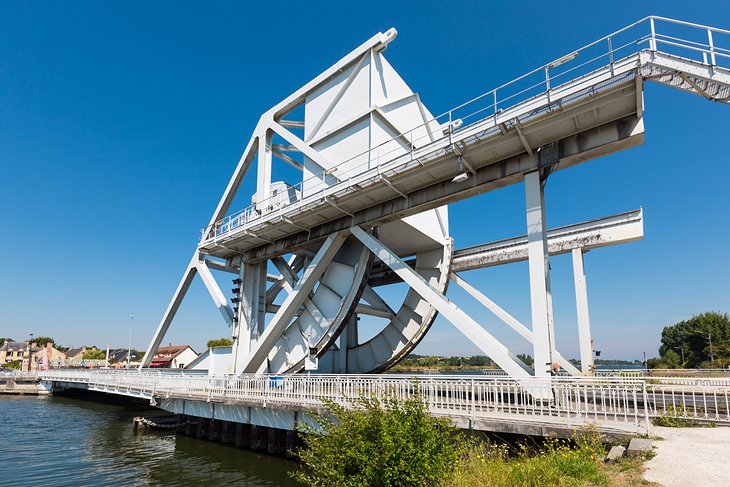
[{"x": 65, "y": 441}]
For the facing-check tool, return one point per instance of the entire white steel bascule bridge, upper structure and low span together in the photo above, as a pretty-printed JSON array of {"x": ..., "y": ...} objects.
[{"x": 368, "y": 174}]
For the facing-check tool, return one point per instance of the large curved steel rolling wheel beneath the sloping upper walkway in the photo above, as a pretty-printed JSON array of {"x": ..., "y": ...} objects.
[{"x": 326, "y": 325}]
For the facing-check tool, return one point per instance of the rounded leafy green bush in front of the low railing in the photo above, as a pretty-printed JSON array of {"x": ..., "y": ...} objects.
[{"x": 376, "y": 442}]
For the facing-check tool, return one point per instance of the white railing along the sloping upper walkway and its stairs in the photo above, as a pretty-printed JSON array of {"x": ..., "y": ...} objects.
[{"x": 703, "y": 44}]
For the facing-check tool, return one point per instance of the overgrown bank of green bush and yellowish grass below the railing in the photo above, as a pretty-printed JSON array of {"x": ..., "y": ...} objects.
[{"x": 398, "y": 443}]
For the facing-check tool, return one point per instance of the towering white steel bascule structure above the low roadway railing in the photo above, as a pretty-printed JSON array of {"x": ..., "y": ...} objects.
[{"x": 369, "y": 172}]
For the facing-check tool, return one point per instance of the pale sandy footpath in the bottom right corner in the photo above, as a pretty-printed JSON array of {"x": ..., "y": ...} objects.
[{"x": 690, "y": 456}]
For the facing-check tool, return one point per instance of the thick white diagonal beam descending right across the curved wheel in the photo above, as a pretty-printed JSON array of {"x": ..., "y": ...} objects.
[{"x": 462, "y": 321}]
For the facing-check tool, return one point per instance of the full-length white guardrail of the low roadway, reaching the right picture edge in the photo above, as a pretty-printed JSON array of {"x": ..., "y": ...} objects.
[{"x": 567, "y": 400}]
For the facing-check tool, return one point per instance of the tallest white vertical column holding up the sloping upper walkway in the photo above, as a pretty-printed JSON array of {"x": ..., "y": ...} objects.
[{"x": 540, "y": 297}]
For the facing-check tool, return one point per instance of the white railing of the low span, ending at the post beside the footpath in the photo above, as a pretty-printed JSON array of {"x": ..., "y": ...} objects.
[{"x": 557, "y": 401}]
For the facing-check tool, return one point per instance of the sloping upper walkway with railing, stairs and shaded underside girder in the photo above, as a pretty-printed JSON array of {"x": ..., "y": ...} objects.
[{"x": 561, "y": 114}]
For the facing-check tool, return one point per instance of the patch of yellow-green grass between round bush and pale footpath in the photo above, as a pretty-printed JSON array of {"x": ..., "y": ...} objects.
[{"x": 555, "y": 463}]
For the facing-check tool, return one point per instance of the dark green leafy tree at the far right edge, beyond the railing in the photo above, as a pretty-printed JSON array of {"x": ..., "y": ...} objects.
[{"x": 691, "y": 338}]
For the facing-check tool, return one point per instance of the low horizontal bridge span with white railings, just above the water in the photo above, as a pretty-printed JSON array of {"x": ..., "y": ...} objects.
[{"x": 614, "y": 405}]
